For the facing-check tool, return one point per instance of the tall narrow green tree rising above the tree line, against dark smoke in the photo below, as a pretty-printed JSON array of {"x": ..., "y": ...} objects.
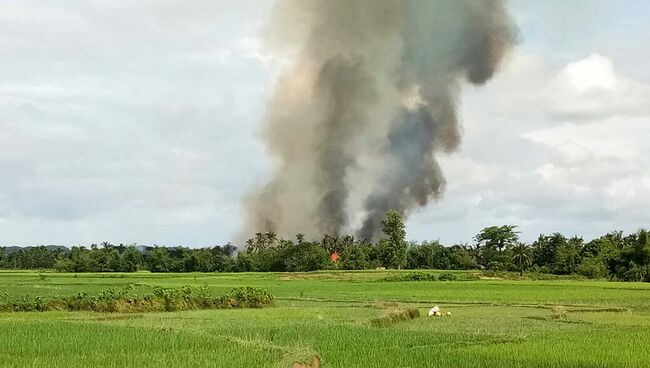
[{"x": 394, "y": 245}]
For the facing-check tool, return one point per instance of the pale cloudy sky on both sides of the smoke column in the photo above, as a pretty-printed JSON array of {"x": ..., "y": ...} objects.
[{"x": 138, "y": 122}]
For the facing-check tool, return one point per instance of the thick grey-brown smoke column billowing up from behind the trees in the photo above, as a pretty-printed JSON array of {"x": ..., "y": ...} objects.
[{"x": 371, "y": 94}]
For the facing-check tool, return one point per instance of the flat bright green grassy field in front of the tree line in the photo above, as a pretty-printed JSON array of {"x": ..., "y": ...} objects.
[{"x": 494, "y": 323}]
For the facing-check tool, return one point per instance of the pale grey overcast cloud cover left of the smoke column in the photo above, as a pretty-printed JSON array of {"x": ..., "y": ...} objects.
[{"x": 121, "y": 122}]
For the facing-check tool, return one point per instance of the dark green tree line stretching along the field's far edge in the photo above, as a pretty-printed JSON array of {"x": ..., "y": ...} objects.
[{"x": 614, "y": 256}]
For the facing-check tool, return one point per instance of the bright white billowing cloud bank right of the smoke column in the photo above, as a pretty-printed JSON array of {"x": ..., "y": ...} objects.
[{"x": 585, "y": 171}]
